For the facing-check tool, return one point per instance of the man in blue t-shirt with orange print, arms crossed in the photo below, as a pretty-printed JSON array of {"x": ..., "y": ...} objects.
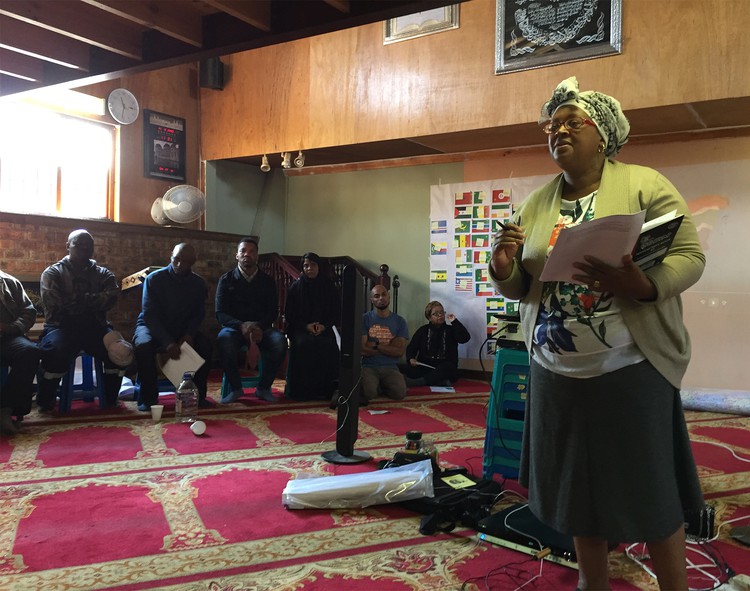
[{"x": 384, "y": 337}]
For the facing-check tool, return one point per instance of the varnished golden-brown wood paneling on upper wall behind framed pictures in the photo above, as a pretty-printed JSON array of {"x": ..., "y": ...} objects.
[{"x": 357, "y": 90}]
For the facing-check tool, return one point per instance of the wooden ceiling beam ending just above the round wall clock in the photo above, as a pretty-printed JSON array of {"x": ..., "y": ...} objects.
[{"x": 80, "y": 22}]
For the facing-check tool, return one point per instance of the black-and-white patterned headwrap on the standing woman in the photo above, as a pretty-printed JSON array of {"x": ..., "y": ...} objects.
[{"x": 604, "y": 110}]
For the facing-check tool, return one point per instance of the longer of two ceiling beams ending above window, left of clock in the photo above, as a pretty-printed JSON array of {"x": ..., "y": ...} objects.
[{"x": 43, "y": 43}]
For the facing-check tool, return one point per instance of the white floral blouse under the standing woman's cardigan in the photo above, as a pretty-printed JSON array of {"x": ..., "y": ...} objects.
[{"x": 580, "y": 332}]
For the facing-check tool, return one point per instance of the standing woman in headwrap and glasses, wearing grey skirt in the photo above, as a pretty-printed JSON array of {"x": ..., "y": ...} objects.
[{"x": 606, "y": 454}]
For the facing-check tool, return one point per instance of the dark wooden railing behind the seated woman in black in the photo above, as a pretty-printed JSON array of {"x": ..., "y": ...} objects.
[{"x": 286, "y": 269}]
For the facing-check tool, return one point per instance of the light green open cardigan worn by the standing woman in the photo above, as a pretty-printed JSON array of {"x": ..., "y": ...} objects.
[{"x": 657, "y": 327}]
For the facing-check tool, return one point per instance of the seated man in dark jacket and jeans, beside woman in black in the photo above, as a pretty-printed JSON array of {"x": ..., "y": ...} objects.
[{"x": 246, "y": 307}]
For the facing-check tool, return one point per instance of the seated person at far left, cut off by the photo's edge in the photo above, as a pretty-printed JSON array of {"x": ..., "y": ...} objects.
[{"x": 17, "y": 316}]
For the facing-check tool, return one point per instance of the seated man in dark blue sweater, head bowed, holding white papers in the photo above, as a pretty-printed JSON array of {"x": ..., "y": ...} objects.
[{"x": 173, "y": 306}]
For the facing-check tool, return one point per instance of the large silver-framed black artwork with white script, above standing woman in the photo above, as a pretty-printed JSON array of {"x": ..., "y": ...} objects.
[{"x": 548, "y": 32}]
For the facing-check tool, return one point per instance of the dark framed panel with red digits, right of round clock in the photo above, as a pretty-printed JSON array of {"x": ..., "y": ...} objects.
[{"x": 163, "y": 146}]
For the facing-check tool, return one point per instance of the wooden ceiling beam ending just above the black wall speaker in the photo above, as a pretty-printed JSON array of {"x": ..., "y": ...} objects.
[{"x": 170, "y": 18}]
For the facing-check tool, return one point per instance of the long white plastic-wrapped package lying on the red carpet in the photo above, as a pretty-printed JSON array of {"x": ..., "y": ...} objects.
[{"x": 391, "y": 485}]
